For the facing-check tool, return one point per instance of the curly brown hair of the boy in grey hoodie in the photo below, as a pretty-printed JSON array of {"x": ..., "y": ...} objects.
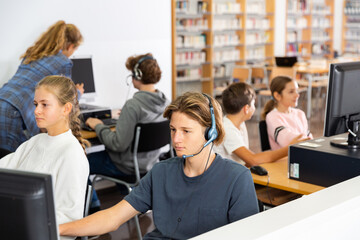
[{"x": 150, "y": 69}]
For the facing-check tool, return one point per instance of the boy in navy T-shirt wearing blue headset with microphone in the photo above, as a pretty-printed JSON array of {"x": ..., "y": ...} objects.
[{"x": 193, "y": 193}]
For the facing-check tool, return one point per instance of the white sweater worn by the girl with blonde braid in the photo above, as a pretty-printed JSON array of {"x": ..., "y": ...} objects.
[{"x": 63, "y": 157}]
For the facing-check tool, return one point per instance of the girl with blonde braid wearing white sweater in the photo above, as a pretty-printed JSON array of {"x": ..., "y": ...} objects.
[{"x": 60, "y": 151}]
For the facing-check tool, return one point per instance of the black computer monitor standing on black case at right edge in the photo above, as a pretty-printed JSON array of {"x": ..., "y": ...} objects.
[{"x": 343, "y": 103}]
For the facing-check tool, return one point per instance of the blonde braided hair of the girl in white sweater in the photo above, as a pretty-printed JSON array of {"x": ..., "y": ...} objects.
[{"x": 65, "y": 91}]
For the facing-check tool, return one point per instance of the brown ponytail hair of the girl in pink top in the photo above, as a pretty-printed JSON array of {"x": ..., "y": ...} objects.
[{"x": 278, "y": 84}]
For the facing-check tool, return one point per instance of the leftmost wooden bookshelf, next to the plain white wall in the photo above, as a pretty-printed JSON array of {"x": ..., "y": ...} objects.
[{"x": 210, "y": 37}]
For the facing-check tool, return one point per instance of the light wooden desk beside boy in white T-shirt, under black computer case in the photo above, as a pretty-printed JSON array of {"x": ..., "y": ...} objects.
[{"x": 277, "y": 173}]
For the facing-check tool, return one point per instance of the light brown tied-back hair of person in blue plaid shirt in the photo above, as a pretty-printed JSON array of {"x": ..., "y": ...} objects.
[{"x": 58, "y": 37}]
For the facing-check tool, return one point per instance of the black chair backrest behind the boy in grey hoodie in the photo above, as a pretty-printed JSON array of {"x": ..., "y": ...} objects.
[{"x": 149, "y": 137}]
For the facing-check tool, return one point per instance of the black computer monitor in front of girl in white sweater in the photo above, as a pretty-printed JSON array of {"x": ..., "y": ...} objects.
[{"x": 26, "y": 206}]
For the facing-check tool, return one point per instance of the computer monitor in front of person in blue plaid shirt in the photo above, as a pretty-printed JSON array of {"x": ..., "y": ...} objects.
[{"x": 82, "y": 72}]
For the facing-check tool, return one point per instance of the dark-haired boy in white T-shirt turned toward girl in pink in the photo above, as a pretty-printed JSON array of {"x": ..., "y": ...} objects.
[{"x": 239, "y": 105}]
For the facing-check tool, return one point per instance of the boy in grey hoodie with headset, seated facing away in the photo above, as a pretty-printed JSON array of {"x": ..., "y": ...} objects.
[{"x": 147, "y": 105}]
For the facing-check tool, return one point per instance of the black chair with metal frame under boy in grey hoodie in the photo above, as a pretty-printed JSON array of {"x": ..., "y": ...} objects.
[{"x": 147, "y": 137}]
